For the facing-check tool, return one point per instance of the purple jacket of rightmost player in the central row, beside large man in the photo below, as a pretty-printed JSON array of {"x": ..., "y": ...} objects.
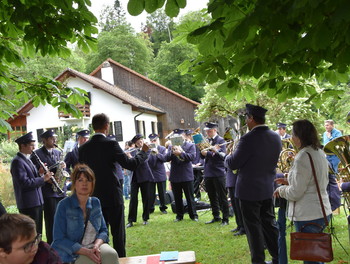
[{"x": 213, "y": 162}]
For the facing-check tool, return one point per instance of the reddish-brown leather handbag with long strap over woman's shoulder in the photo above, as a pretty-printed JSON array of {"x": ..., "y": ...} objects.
[{"x": 312, "y": 246}]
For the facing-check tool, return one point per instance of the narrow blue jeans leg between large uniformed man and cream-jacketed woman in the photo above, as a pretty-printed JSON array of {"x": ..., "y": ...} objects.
[{"x": 282, "y": 245}]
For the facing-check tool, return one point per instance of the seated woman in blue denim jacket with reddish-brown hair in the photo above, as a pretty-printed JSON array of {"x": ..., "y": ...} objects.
[{"x": 80, "y": 234}]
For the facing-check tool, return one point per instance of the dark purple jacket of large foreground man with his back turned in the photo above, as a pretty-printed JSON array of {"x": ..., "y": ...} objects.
[{"x": 255, "y": 157}]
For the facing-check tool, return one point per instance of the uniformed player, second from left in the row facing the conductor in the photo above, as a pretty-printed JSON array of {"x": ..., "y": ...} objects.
[{"x": 156, "y": 164}]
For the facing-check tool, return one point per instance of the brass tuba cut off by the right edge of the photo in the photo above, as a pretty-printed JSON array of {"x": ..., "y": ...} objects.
[{"x": 340, "y": 146}]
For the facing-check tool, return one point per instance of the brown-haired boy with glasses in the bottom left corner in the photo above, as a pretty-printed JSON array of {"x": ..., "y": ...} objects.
[{"x": 20, "y": 244}]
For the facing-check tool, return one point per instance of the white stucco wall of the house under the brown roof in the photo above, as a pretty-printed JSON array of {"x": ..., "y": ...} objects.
[{"x": 101, "y": 102}]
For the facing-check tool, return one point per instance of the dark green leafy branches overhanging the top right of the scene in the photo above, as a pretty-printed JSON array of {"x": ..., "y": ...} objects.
[{"x": 287, "y": 46}]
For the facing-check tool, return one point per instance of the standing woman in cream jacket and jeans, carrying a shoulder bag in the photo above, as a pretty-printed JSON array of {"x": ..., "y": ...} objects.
[{"x": 300, "y": 187}]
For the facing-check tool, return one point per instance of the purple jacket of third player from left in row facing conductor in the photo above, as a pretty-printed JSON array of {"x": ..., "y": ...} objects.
[{"x": 181, "y": 168}]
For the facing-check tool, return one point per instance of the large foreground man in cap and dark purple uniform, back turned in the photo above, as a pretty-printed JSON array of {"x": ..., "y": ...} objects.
[{"x": 255, "y": 158}]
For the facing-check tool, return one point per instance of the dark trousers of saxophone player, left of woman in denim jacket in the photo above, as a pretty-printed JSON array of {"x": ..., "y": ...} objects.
[{"x": 50, "y": 205}]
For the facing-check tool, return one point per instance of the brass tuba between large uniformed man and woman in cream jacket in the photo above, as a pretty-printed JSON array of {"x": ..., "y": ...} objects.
[{"x": 286, "y": 157}]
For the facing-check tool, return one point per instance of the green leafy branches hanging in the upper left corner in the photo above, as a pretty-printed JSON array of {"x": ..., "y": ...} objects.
[{"x": 47, "y": 28}]
